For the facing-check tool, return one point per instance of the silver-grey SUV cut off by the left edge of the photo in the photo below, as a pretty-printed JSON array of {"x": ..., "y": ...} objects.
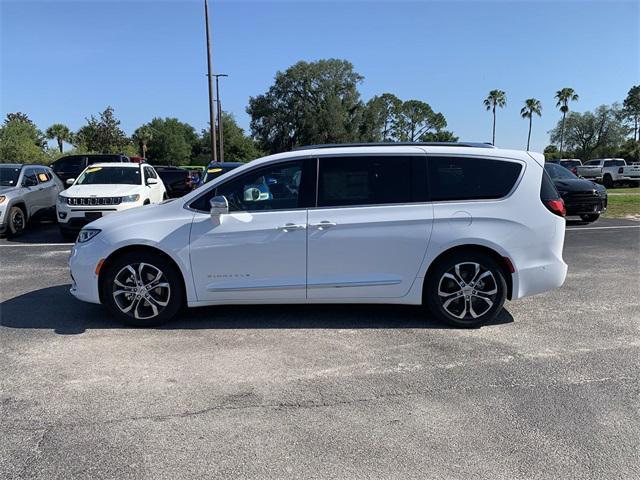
[{"x": 27, "y": 192}]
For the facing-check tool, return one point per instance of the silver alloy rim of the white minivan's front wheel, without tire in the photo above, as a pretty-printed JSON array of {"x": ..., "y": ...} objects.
[{"x": 141, "y": 290}]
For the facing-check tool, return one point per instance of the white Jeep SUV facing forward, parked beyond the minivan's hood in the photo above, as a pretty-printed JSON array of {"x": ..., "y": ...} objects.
[{"x": 105, "y": 188}]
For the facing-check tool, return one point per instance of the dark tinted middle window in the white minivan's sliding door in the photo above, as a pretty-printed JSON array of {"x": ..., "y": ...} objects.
[{"x": 375, "y": 180}]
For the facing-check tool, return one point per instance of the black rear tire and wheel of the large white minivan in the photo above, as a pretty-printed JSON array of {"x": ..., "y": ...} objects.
[{"x": 463, "y": 295}]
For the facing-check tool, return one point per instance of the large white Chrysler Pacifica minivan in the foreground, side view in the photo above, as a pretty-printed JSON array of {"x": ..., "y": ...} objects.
[{"x": 460, "y": 227}]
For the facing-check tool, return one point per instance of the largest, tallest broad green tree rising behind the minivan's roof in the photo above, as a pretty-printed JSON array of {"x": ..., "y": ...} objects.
[{"x": 310, "y": 102}]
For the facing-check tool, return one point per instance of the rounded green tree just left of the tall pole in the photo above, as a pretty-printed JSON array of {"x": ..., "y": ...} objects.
[{"x": 173, "y": 142}]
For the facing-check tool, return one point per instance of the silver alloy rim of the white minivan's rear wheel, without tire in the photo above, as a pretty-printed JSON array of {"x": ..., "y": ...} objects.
[{"x": 467, "y": 291}]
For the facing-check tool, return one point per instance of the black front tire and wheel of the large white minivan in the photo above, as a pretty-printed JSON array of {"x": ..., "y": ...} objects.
[{"x": 167, "y": 302}]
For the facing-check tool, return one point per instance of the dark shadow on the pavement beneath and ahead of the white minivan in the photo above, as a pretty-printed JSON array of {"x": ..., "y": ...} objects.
[{"x": 53, "y": 308}]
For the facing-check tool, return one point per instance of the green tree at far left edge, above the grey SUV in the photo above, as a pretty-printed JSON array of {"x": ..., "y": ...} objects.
[{"x": 21, "y": 141}]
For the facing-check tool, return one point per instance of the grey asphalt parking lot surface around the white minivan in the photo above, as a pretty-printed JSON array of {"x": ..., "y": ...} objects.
[{"x": 550, "y": 390}]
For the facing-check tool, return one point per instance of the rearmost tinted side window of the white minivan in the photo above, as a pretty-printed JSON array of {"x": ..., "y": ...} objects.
[{"x": 459, "y": 178}]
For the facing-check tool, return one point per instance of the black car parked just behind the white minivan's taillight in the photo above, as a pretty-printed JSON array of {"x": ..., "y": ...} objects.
[{"x": 581, "y": 197}]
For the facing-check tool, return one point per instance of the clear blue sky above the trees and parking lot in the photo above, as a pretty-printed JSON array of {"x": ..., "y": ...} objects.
[{"x": 63, "y": 61}]
